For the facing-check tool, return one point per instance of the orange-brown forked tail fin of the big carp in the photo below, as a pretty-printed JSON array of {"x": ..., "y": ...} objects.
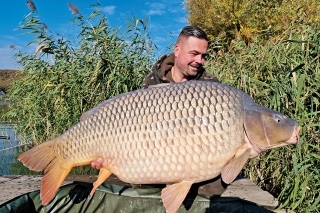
[{"x": 43, "y": 158}]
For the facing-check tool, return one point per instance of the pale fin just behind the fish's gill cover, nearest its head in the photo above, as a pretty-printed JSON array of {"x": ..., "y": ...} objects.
[{"x": 230, "y": 171}]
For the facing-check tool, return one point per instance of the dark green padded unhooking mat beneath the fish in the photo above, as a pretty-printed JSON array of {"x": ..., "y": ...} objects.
[{"x": 75, "y": 198}]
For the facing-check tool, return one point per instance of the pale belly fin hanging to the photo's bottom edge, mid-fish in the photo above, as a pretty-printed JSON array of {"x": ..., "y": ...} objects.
[{"x": 173, "y": 195}]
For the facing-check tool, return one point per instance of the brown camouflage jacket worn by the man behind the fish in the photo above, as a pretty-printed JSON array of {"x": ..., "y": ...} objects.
[{"x": 161, "y": 72}]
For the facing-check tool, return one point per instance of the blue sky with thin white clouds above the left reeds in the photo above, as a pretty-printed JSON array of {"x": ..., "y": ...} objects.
[{"x": 166, "y": 19}]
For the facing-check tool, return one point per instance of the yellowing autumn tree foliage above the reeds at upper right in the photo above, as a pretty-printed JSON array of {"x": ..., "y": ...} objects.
[{"x": 229, "y": 19}]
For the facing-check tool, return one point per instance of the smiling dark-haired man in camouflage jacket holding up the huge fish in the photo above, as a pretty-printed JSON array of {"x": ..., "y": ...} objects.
[{"x": 184, "y": 64}]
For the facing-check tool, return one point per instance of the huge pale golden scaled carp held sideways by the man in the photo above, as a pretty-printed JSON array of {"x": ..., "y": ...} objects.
[{"x": 175, "y": 134}]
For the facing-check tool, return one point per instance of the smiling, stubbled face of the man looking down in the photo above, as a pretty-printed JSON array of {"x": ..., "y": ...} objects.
[{"x": 190, "y": 55}]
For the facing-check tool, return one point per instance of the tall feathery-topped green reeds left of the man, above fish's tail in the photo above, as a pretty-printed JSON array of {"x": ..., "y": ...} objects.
[{"x": 66, "y": 76}]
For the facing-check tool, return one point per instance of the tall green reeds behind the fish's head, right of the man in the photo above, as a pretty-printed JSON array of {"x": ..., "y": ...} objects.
[{"x": 285, "y": 76}]
